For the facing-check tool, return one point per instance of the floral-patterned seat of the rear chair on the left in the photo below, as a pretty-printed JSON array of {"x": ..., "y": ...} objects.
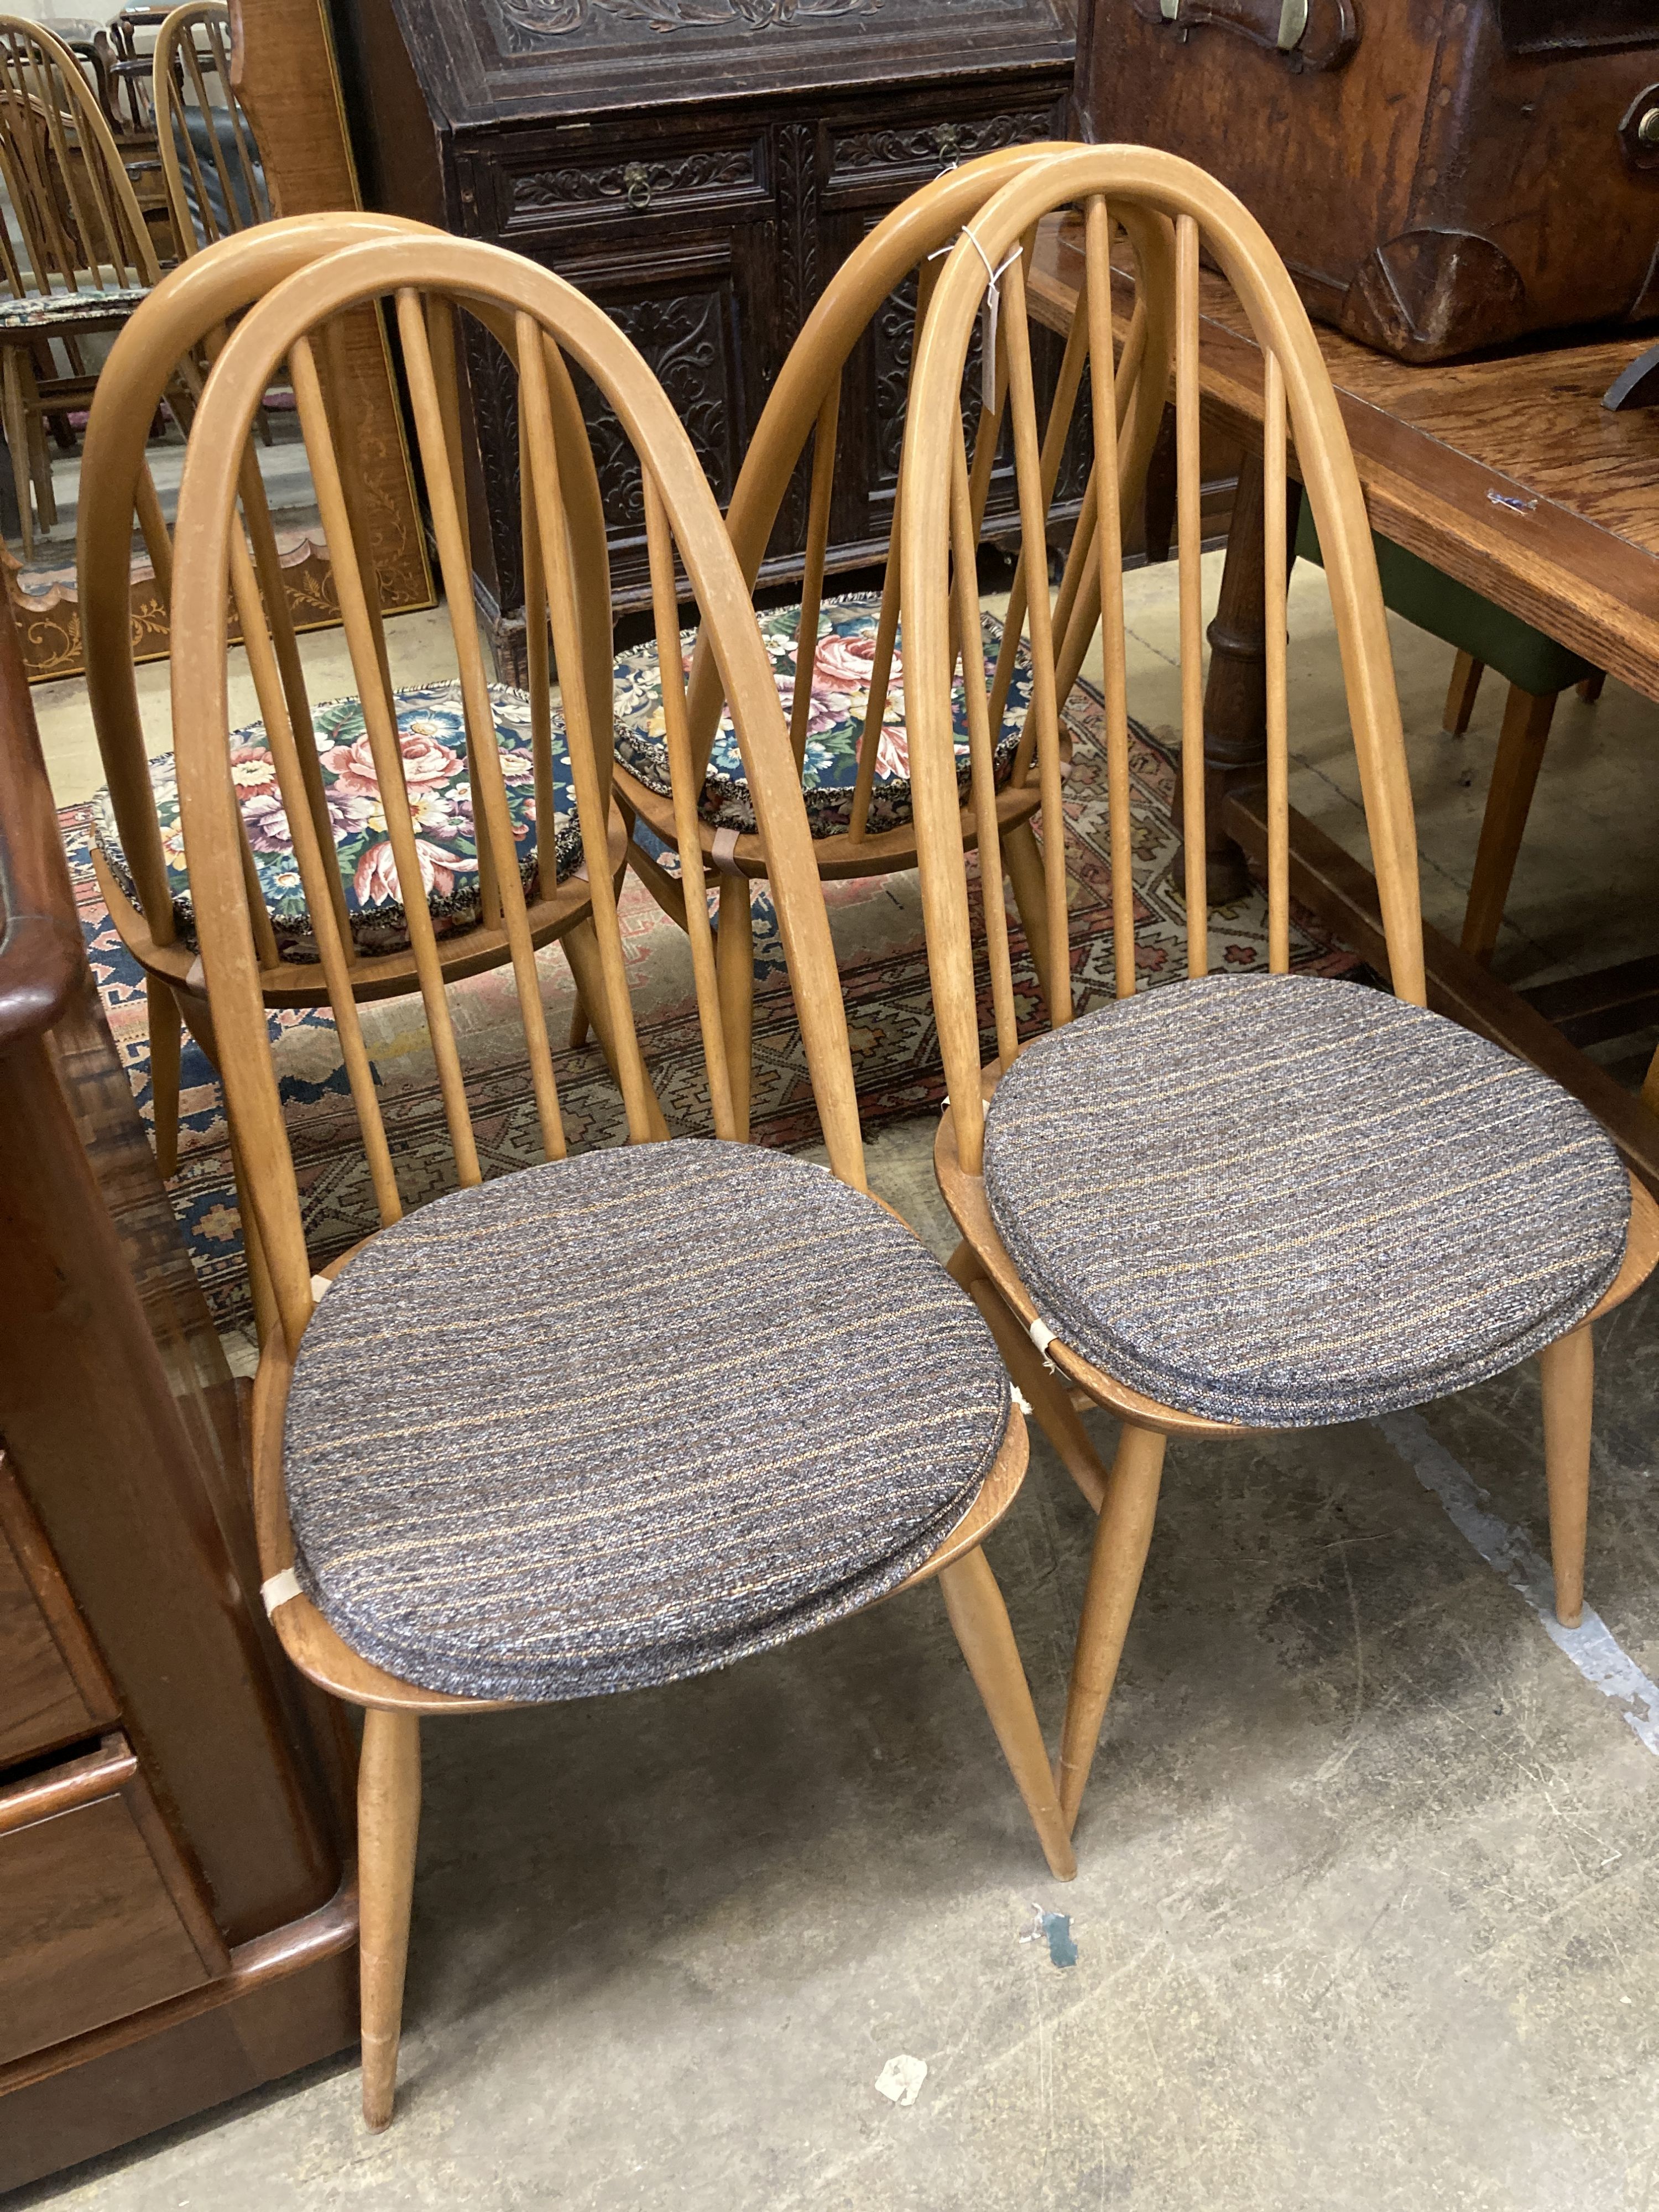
[{"x": 432, "y": 733}]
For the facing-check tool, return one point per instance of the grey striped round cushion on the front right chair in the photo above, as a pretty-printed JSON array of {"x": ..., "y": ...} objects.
[{"x": 1291, "y": 1200}]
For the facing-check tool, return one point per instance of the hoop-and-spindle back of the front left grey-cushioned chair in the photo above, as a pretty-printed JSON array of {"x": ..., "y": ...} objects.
[{"x": 547, "y": 328}]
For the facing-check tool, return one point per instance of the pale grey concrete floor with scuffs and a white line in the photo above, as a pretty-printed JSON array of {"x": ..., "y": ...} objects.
[{"x": 1366, "y": 1899}]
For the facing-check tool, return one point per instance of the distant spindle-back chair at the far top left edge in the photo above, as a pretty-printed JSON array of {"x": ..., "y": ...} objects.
[{"x": 87, "y": 258}]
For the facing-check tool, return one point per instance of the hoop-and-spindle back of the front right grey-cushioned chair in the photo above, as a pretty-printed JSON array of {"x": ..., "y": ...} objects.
[{"x": 1116, "y": 185}]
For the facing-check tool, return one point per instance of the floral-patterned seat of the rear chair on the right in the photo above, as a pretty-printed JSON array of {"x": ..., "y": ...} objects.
[{"x": 839, "y": 702}]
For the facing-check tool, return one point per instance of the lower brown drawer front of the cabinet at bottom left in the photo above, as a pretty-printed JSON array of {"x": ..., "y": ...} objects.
[{"x": 90, "y": 1928}]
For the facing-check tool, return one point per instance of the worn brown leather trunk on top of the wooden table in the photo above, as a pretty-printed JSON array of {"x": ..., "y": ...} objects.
[{"x": 1439, "y": 178}]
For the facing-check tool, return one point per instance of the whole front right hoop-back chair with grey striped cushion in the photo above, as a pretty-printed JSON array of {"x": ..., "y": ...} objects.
[{"x": 1231, "y": 1202}]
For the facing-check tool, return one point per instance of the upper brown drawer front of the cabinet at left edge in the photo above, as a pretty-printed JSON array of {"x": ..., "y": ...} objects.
[{"x": 45, "y": 1700}]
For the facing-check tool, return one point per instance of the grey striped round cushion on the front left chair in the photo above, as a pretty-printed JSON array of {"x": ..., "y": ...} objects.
[{"x": 632, "y": 1417}]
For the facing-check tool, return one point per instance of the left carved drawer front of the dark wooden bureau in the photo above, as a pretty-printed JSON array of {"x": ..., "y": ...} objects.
[{"x": 629, "y": 187}]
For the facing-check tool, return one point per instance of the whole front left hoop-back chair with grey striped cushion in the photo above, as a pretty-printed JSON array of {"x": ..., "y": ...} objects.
[{"x": 554, "y": 1488}]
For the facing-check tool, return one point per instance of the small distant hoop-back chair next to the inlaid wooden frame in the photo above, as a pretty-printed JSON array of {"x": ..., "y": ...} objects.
[{"x": 209, "y": 156}]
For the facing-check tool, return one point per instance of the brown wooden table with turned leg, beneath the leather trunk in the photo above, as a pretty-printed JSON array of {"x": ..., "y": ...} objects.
[{"x": 1510, "y": 477}]
